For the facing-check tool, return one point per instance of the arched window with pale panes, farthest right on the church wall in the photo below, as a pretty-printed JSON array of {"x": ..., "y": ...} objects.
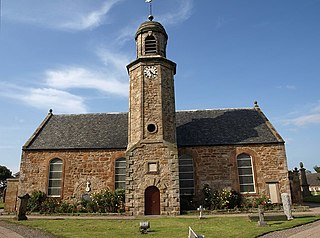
[{"x": 245, "y": 171}]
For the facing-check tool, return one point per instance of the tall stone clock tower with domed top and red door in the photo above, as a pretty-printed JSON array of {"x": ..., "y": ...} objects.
[{"x": 152, "y": 177}]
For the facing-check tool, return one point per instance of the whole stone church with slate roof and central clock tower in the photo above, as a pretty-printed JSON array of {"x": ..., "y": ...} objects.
[{"x": 159, "y": 155}]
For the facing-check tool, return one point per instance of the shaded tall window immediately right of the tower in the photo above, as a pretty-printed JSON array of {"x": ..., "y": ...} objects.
[{"x": 186, "y": 175}]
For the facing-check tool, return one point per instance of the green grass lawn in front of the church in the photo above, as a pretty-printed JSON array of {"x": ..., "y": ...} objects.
[{"x": 162, "y": 227}]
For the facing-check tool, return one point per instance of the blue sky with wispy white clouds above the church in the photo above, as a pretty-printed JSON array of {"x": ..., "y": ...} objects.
[{"x": 71, "y": 56}]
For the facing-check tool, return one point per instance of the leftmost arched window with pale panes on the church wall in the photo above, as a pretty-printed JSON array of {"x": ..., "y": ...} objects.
[{"x": 55, "y": 178}]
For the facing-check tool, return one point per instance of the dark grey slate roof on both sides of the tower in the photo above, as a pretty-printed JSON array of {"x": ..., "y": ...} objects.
[{"x": 194, "y": 128}]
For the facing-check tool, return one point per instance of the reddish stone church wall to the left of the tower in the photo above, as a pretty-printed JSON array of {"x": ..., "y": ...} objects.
[{"x": 95, "y": 166}]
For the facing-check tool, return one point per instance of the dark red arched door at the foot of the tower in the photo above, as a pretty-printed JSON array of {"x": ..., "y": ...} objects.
[{"x": 152, "y": 201}]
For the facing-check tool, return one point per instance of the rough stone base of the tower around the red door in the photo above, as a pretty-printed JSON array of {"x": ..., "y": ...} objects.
[{"x": 166, "y": 178}]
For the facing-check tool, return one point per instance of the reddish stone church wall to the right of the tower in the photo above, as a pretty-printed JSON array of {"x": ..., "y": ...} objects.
[{"x": 217, "y": 166}]
